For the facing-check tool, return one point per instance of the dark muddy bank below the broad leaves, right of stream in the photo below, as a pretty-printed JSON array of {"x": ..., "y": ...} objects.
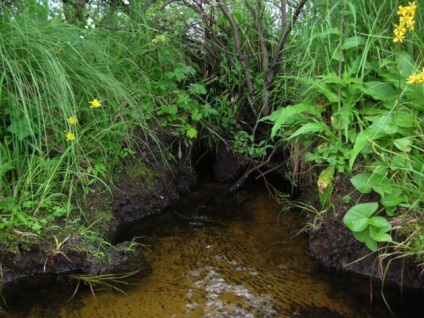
[{"x": 336, "y": 248}]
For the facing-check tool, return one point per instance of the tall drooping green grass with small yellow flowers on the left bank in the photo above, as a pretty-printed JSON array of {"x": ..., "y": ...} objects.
[{"x": 49, "y": 72}]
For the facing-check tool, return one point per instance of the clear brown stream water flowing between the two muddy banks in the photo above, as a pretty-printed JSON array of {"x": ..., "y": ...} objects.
[{"x": 219, "y": 255}]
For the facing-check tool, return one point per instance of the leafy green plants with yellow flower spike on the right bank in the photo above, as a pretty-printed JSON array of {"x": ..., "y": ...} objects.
[{"x": 360, "y": 113}]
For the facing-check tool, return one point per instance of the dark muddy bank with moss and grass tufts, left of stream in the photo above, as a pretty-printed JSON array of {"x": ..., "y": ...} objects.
[{"x": 140, "y": 189}]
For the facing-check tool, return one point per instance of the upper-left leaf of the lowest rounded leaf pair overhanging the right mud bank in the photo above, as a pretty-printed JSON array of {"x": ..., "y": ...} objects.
[{"x": 357, "y": 217}]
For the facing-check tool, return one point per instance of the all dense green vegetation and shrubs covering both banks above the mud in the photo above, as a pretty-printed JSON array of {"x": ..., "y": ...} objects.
[{"x": 320, "y": 88}]
